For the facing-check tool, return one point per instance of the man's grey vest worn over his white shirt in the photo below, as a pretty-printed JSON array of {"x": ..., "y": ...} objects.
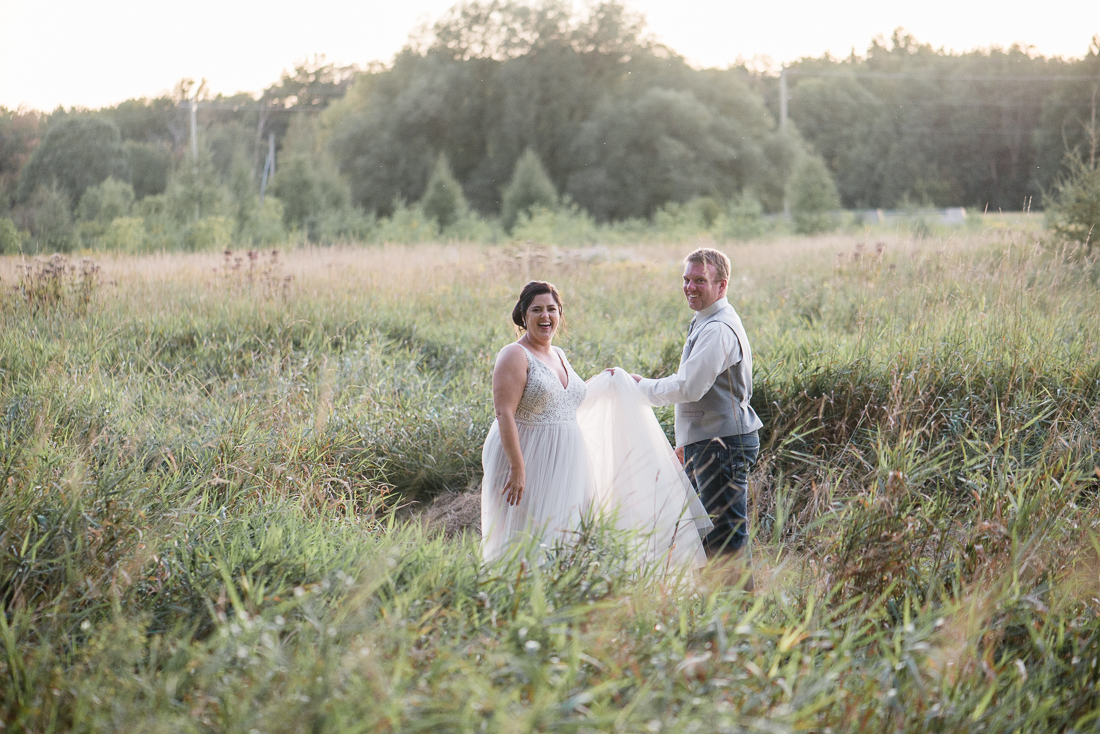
[{"x": 724, "y": 410}]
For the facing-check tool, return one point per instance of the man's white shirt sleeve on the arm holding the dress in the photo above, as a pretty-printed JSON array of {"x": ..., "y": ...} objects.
[{"x": 717, "y": 349}]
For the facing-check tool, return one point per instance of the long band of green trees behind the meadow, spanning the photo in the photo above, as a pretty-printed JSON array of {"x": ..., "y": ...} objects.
[{"x": 502, "y": 108}]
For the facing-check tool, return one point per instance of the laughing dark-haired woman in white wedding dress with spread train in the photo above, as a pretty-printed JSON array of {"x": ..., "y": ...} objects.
[{"x": 560, "y": 450}]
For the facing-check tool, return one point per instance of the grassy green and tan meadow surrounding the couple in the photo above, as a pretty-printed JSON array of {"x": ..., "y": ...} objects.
[{"x": 225, "y": 481}]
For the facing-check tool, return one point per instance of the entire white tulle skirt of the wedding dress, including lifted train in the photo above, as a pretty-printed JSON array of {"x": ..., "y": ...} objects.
[{"x": 613, "y": 464}]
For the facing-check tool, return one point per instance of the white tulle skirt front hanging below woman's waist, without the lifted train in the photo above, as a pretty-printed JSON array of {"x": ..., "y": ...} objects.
[{"x": 555, "y": 496}]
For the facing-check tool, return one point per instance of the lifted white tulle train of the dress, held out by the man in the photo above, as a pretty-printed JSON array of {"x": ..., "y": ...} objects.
[{"x": 637, "y": 481}]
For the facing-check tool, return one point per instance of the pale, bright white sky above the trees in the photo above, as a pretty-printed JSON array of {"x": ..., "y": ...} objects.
[{"x": 94, "y": 53}]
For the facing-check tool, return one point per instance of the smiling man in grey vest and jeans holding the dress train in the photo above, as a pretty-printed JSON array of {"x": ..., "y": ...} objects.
[{"x": 717, "y": 428}]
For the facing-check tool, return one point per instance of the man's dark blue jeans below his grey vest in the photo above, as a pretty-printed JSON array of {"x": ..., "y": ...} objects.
[{"x": 720, "y": 470}]
